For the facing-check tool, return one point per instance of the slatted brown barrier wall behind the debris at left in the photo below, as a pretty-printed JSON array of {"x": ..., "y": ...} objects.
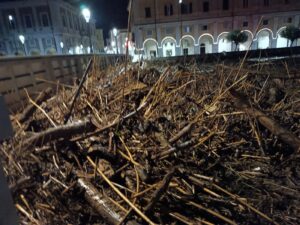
[{"x": 32, "y": 74}]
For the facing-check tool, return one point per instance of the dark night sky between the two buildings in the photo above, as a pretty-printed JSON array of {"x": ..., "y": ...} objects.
[{"x": 108, "y": 13}]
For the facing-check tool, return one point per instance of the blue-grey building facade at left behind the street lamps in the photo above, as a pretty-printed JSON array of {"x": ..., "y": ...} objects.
[{"x": 48, "y": 27}]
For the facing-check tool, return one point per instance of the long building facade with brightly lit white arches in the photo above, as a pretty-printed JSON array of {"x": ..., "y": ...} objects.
[{"x": 173, "y": 27}]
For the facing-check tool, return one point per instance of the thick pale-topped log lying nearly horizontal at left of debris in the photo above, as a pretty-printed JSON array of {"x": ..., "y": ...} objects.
[{"x": 64, "y": 131}]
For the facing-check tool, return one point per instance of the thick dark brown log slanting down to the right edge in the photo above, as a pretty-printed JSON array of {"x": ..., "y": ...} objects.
[{"x": 283, "y": 134}]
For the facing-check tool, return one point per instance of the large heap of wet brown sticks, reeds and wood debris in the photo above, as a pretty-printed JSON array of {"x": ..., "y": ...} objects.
[{"x": 190, "y": 144}]
